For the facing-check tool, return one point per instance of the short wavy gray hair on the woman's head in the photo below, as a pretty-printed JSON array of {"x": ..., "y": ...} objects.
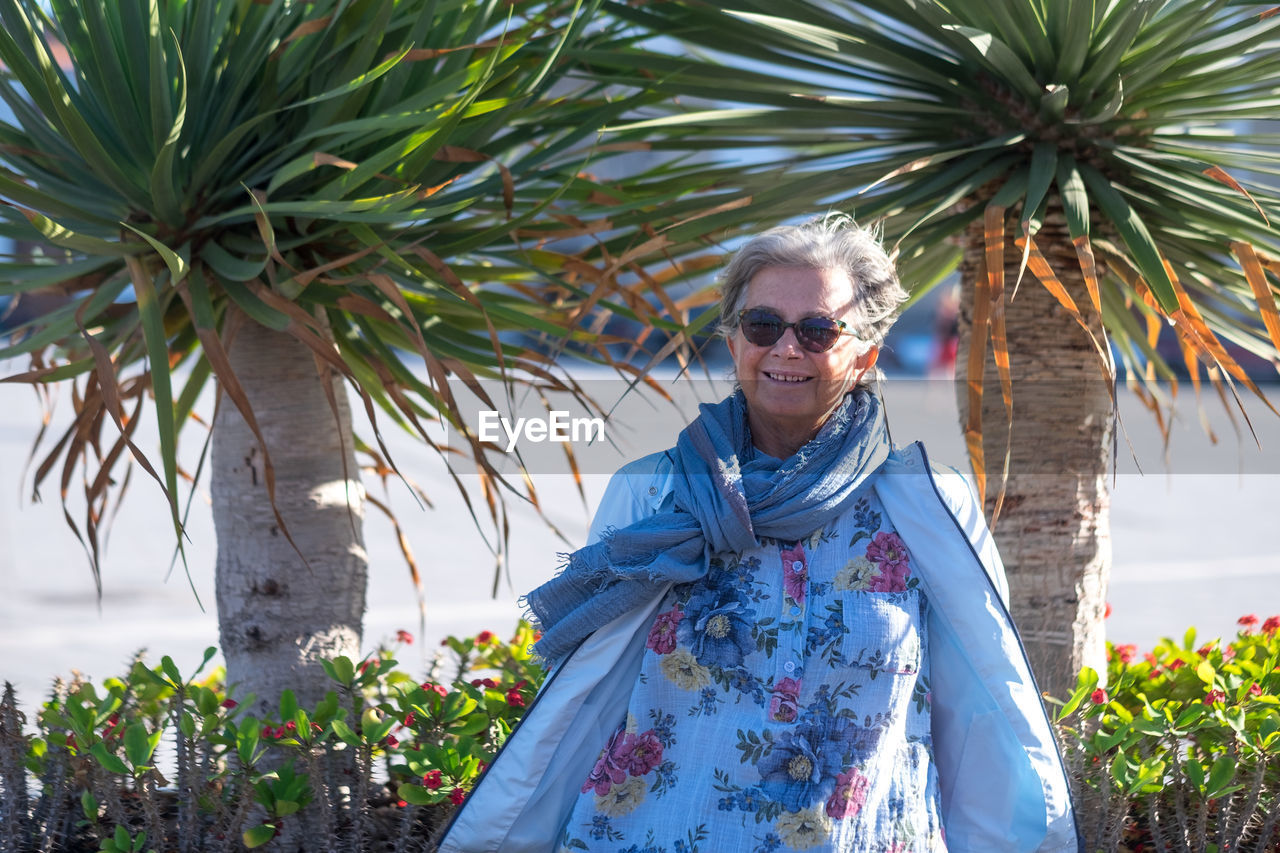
[{"x": 830, "y": 243}]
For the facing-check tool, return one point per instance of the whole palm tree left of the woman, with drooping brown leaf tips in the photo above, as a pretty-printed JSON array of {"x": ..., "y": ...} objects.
[{"x": 295, "y": 200}]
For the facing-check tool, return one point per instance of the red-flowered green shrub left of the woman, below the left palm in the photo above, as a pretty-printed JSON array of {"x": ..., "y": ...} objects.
[{"x": 307, "y": 774}]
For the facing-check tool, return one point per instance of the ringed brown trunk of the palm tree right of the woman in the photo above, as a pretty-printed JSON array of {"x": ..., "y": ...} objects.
[{"x": 1054, "y": 531}]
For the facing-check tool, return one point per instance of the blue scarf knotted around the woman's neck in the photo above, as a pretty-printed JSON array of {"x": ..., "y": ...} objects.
[{"x": 726, "y": 496}]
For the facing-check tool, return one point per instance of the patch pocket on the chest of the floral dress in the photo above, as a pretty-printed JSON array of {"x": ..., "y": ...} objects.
[{"x": 884, "y": 631}]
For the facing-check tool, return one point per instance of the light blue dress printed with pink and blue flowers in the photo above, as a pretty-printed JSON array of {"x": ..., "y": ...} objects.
[{"x": 783, "y": 705}]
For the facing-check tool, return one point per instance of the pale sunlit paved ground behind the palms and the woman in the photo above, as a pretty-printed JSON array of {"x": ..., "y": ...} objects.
[{"x": 1192, "y": 548}]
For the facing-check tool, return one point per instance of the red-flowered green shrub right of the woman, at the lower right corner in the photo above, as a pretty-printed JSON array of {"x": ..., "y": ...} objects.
[{"x": 1178, "y": 750}]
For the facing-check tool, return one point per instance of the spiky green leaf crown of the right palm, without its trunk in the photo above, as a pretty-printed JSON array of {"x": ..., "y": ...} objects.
[{"x": 1126, "y": 120}]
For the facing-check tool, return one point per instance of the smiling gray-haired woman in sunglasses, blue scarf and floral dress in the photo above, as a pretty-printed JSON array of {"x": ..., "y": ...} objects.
[{"x": 785, "y": 635}]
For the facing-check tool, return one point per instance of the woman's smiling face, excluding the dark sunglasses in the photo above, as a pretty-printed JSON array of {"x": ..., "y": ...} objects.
[{"x": 789, "y": 390}]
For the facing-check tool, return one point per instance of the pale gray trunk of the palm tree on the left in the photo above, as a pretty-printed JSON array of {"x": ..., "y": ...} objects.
[{"x": 278, "y": 615}]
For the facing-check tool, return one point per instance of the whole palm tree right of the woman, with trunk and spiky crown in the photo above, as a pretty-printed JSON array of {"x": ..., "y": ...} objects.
[{"x": 1077, "y": 156}]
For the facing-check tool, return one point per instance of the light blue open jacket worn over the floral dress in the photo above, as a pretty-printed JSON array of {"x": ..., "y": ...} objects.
[{"x": 1003, "y": 782}]
